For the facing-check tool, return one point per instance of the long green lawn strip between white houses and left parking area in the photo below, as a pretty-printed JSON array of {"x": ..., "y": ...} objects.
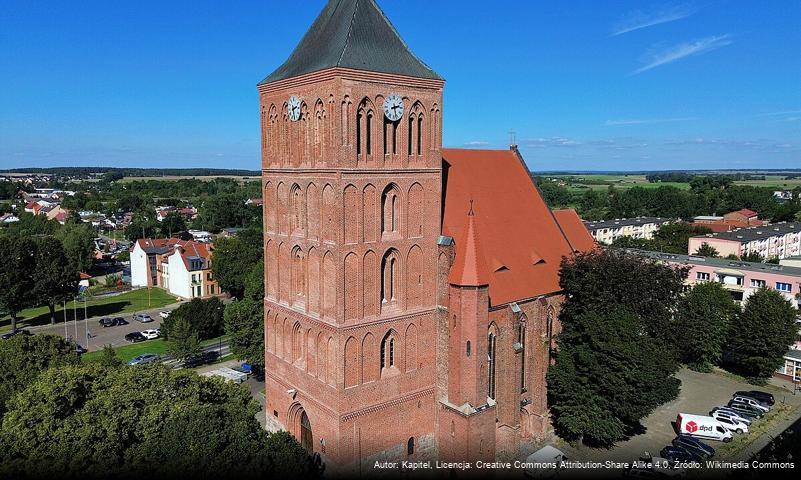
[{"x": 128, "y": 302}]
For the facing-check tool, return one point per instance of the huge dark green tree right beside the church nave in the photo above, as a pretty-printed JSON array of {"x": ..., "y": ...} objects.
[{"x": 616, "y": 358}]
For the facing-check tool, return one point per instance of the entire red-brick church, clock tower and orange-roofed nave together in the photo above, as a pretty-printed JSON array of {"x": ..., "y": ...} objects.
[{"x": 411, "y": 291}]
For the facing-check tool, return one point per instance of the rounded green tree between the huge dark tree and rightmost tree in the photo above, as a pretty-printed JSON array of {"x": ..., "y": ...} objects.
[{"x": 702, "y": 322}]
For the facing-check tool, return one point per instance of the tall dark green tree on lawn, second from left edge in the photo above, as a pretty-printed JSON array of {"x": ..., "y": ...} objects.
[{"x": 55, "y": 280}]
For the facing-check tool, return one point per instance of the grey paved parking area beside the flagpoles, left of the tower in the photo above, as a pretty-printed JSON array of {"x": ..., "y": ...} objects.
[{"x": 99, "y": 336}]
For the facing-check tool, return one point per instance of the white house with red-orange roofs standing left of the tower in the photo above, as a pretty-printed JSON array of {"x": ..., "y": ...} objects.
[{"x": 181, "y": 267}]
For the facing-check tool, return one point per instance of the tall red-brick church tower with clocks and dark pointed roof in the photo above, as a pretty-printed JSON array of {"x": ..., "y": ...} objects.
[{"x": 351, "y": 129}]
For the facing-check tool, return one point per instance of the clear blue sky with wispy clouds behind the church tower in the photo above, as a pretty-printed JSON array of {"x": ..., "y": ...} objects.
[{"x": 585, "y": 85}]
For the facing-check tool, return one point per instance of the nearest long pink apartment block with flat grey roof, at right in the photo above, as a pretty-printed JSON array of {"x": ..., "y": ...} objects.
[{"x": 741, "y": 279}]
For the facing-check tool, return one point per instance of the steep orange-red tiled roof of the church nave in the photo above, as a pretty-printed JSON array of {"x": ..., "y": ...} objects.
[{"x": 520, "y": 238}]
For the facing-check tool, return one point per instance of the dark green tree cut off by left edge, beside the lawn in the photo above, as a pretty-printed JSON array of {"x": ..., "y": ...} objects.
[{"x": 18, "y": 256}]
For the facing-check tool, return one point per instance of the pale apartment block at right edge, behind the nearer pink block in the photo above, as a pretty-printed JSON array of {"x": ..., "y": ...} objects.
[{"x": 778, "y": 240}]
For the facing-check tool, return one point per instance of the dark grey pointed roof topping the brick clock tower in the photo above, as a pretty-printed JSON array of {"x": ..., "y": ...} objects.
[{"x": 352, "y": 34}]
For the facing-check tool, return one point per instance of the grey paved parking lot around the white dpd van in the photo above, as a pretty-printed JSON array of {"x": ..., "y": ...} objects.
[{"x": 700, "y": 392}]
